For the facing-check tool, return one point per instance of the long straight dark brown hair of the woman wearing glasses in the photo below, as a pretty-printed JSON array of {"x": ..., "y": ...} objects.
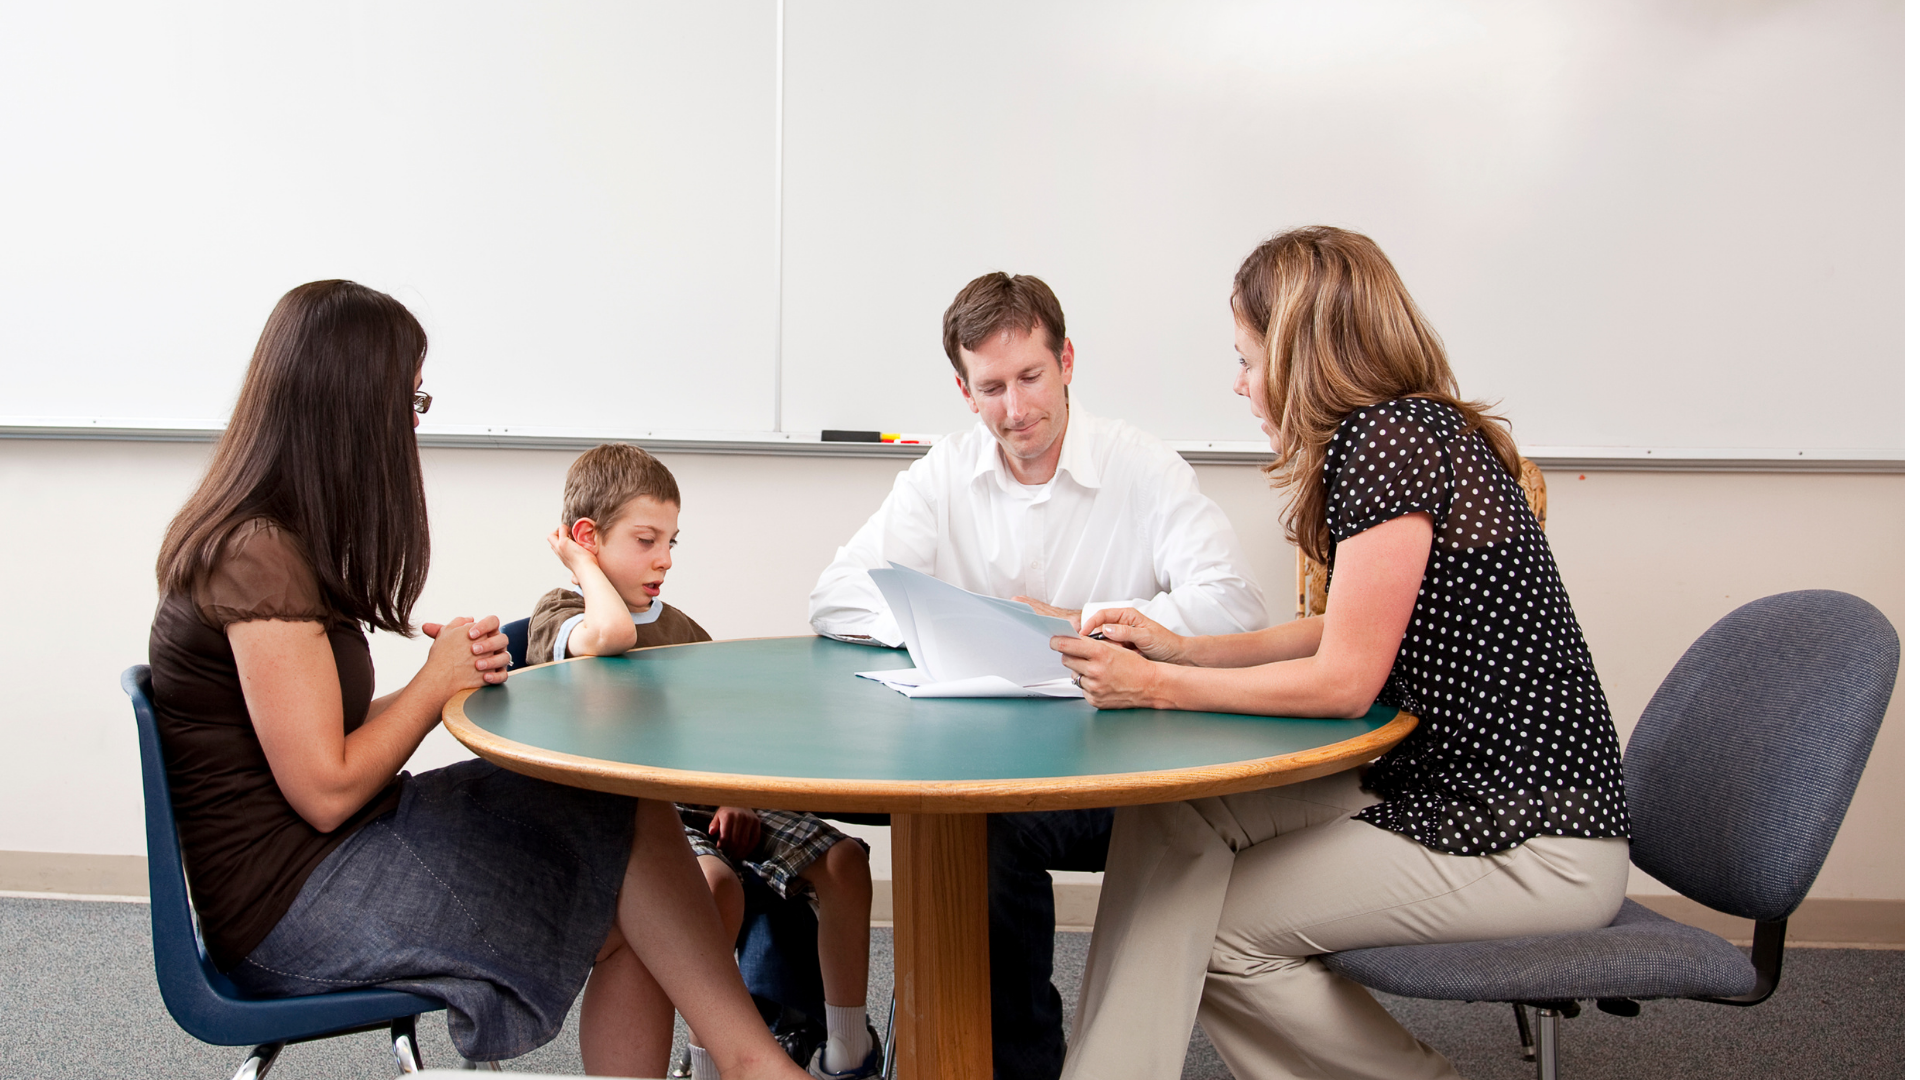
[{"x": 322, "y": 443}]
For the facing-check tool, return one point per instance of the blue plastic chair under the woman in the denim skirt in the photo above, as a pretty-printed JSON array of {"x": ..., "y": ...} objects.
[{"x": 203, "y": 1000}]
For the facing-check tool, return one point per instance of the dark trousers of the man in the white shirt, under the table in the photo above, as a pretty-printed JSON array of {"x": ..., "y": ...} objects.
[{"x": 1028, "y": 1029}]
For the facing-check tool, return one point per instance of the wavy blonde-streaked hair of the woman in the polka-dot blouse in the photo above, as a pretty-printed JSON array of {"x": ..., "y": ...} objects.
[{"x": 1343, "y": 333}]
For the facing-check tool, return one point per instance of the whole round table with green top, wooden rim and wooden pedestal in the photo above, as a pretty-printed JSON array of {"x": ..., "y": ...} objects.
[{"x": 786, "y": 724}]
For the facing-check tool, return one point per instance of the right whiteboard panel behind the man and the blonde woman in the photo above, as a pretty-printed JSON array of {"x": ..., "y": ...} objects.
[{"x": 1635, "y": 224}]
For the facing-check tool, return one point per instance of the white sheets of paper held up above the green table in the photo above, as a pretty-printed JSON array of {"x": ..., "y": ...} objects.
[{"x": 967, "y": 645}]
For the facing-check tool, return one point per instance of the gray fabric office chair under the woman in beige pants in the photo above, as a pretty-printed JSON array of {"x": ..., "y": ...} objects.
[{"x": 1737, "y": 779}]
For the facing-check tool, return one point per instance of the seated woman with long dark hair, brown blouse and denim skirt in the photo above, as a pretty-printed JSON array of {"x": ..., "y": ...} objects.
[{"x": 316, "y": 864}]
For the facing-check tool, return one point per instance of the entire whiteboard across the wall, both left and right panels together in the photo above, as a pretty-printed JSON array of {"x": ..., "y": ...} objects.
[{"x": 1635, "y": 224}]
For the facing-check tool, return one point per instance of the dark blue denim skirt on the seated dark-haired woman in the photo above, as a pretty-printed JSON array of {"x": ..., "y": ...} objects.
[{"x": 483, "y": 889}]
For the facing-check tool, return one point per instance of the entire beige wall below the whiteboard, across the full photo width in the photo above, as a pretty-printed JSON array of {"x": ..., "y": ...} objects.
[{"x": 1650, "y": 558}]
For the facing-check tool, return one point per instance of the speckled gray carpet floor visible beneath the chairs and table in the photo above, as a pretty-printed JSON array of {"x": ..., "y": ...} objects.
[{"x": 78, "y": 998}]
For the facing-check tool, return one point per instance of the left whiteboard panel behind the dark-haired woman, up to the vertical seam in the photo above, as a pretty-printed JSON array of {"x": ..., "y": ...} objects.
[{"x": 575, "y": 199}]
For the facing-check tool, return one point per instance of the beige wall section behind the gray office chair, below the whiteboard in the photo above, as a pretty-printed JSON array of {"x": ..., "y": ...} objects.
[{"x": 1656, "y": 558}]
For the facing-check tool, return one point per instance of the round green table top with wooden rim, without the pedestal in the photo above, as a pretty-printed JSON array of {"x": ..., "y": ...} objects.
[{"x": 792, "y": 708}]
